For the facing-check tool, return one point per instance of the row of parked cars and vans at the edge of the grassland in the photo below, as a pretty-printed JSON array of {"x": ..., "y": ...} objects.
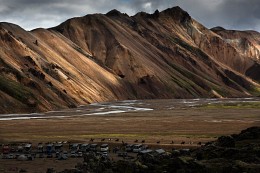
[{"x": 64, "y": 151}]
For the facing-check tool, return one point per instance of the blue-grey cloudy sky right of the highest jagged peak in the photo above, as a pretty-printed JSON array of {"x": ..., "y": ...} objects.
[{"x": 231, "y": 14}]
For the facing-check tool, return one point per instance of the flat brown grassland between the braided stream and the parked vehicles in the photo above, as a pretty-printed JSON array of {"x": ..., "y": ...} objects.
[{"x": 186, "y": 124}]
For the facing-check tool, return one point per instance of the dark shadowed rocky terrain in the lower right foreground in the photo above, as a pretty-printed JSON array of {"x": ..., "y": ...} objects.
[{"x": 237, "y": 153}]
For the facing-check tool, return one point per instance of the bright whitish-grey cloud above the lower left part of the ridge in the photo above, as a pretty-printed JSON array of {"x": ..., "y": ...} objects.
[{"x": 31, "y": 14}]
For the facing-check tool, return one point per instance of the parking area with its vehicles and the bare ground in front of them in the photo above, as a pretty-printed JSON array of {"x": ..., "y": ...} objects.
[{"x": 61, "y": 155}]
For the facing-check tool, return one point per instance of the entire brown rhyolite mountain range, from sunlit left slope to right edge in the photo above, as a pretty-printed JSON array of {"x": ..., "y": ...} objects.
[{"x": 113, "y": 56}]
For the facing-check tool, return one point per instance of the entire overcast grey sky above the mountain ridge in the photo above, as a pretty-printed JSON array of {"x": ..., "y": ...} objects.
[{"x": 230, "y": 14}]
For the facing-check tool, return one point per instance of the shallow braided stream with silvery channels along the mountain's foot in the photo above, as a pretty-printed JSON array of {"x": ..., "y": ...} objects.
[{"x": 120, "y": 107}]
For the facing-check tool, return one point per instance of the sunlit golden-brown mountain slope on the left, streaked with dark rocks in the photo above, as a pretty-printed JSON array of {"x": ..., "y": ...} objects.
[{"x": 53, "y": 73}]
